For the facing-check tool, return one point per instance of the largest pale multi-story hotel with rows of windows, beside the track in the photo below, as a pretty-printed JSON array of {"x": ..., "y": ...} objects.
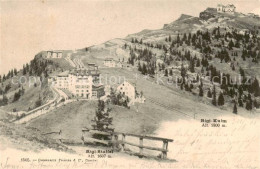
[{"x": 82, "y": 83}]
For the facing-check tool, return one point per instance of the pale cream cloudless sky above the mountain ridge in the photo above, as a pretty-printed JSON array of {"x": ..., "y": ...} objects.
[{"x": 30, "y": 26}]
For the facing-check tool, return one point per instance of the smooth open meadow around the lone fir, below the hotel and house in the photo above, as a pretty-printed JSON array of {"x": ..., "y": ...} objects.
[{"x": 163, "y": 103}]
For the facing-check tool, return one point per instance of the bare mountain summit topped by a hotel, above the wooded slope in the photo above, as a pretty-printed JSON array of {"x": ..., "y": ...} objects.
[{"x": 222, "y": 16}]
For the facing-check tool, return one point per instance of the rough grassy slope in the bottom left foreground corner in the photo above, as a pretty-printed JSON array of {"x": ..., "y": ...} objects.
[{"x": 25, "y": 138}]
